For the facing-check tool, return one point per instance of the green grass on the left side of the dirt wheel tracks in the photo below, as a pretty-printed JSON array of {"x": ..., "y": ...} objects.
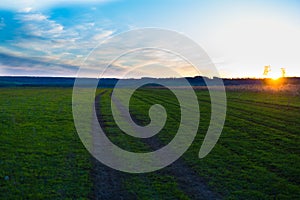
[{"x": 41, "y": 155}]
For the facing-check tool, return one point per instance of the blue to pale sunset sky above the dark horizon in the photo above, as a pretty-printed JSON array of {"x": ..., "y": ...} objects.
[{"x": 53, "y": 38}]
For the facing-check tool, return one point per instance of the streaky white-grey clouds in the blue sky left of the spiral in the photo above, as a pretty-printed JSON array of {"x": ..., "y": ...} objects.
[{"x": 42, "y": 40}]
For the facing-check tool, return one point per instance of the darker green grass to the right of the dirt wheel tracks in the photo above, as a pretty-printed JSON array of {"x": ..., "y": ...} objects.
[{"x": 257, "y": 156}]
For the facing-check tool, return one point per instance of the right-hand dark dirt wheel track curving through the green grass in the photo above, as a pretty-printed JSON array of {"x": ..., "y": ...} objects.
[{"x": 187, "y": 179}]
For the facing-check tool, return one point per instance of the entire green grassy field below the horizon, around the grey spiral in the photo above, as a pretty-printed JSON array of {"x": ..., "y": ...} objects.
[{"x": 256, "y": 157}]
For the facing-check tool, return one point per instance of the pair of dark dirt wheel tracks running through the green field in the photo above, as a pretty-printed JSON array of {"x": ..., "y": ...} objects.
[{"x": 108, "y": 182}]
